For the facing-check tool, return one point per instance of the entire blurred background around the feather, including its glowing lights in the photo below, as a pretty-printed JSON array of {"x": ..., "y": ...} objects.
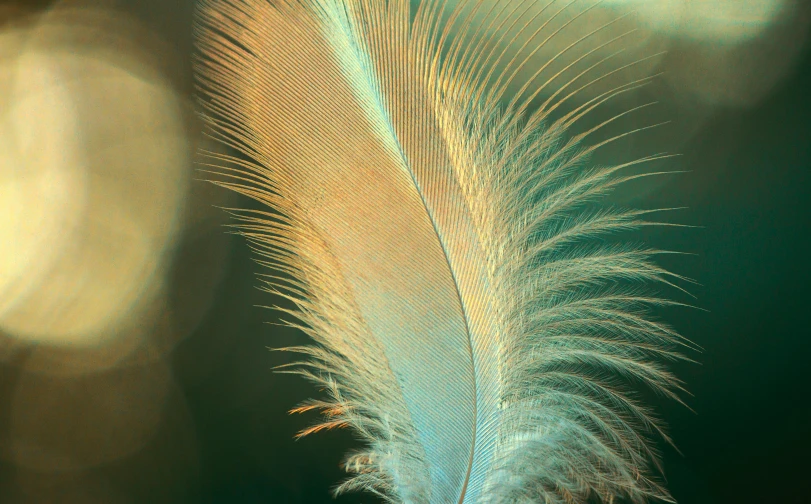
[{"x": 133, "y": 344}]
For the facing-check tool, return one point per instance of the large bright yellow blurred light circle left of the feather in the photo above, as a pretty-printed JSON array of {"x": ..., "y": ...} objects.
[{"x": 93, "y": 171}]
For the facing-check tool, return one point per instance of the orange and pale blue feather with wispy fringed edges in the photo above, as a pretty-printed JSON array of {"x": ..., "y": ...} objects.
[{"x": 442, "y": 243}]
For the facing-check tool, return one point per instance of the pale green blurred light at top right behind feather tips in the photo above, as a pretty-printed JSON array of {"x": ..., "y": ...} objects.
[{"x": 716, "y": 52}]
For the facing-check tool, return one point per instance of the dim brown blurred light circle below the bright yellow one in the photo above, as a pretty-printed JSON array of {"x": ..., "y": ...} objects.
[{"x": 68, "y": 424}]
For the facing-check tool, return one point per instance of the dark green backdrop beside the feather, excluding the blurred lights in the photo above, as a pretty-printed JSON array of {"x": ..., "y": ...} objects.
[{"x": 749, "y": 440}]
